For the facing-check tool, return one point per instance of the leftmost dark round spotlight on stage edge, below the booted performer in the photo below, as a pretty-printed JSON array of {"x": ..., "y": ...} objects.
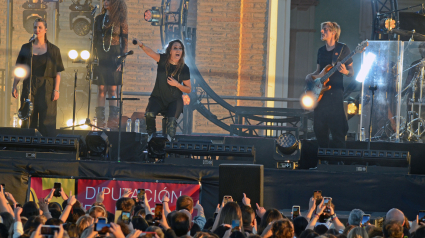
[{"x": 97, "y": 144}]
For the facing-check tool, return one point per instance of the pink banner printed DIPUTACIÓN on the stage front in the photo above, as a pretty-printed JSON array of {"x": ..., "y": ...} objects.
[{"x": 88, "y": 189}]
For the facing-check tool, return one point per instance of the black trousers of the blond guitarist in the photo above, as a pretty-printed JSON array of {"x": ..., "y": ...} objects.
[{"x": 329, "y": 116}]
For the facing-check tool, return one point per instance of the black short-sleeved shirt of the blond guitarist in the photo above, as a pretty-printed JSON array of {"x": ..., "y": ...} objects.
[{"x": 324, "y": 58}]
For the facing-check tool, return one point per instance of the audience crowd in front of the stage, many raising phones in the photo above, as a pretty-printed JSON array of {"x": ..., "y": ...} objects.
[{"x": 231, "y": 220}]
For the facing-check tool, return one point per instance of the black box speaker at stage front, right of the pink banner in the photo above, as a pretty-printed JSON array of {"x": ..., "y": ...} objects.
[{"x": 236, "y": 179}]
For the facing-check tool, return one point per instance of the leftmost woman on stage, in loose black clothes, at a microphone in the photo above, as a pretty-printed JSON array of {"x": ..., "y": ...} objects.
[{"x": 45, "y": 79}]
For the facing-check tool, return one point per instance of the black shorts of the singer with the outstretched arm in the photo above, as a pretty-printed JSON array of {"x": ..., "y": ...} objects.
[{"x": 172, "y": 109}]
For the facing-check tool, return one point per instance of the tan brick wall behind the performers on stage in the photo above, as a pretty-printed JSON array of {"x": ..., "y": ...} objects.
[{"x": 230, "y": 56}]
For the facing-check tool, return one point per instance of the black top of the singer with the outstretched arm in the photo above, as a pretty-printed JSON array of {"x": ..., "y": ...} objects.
[{"x": 162, "y": 89}]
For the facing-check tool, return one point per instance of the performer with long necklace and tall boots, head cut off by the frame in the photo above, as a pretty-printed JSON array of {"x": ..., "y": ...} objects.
[{"x": 110, "y": 40}]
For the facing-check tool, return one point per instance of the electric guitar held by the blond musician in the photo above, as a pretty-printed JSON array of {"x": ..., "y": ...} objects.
[{"x": 318, "y": 85}]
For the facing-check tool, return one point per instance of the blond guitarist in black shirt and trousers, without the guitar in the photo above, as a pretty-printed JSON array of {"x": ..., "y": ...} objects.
[{"x": 329, "y": 114}]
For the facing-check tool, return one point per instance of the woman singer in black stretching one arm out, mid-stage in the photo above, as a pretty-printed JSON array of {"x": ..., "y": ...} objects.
[{"x": 172, "y": 80}]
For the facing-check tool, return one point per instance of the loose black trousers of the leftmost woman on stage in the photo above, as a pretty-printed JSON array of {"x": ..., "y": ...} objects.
[{"x": 45, "y": 110}]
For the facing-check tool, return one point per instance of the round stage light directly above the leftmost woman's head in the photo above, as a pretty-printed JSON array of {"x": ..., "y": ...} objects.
[{"x": 33, "y": 11}]
